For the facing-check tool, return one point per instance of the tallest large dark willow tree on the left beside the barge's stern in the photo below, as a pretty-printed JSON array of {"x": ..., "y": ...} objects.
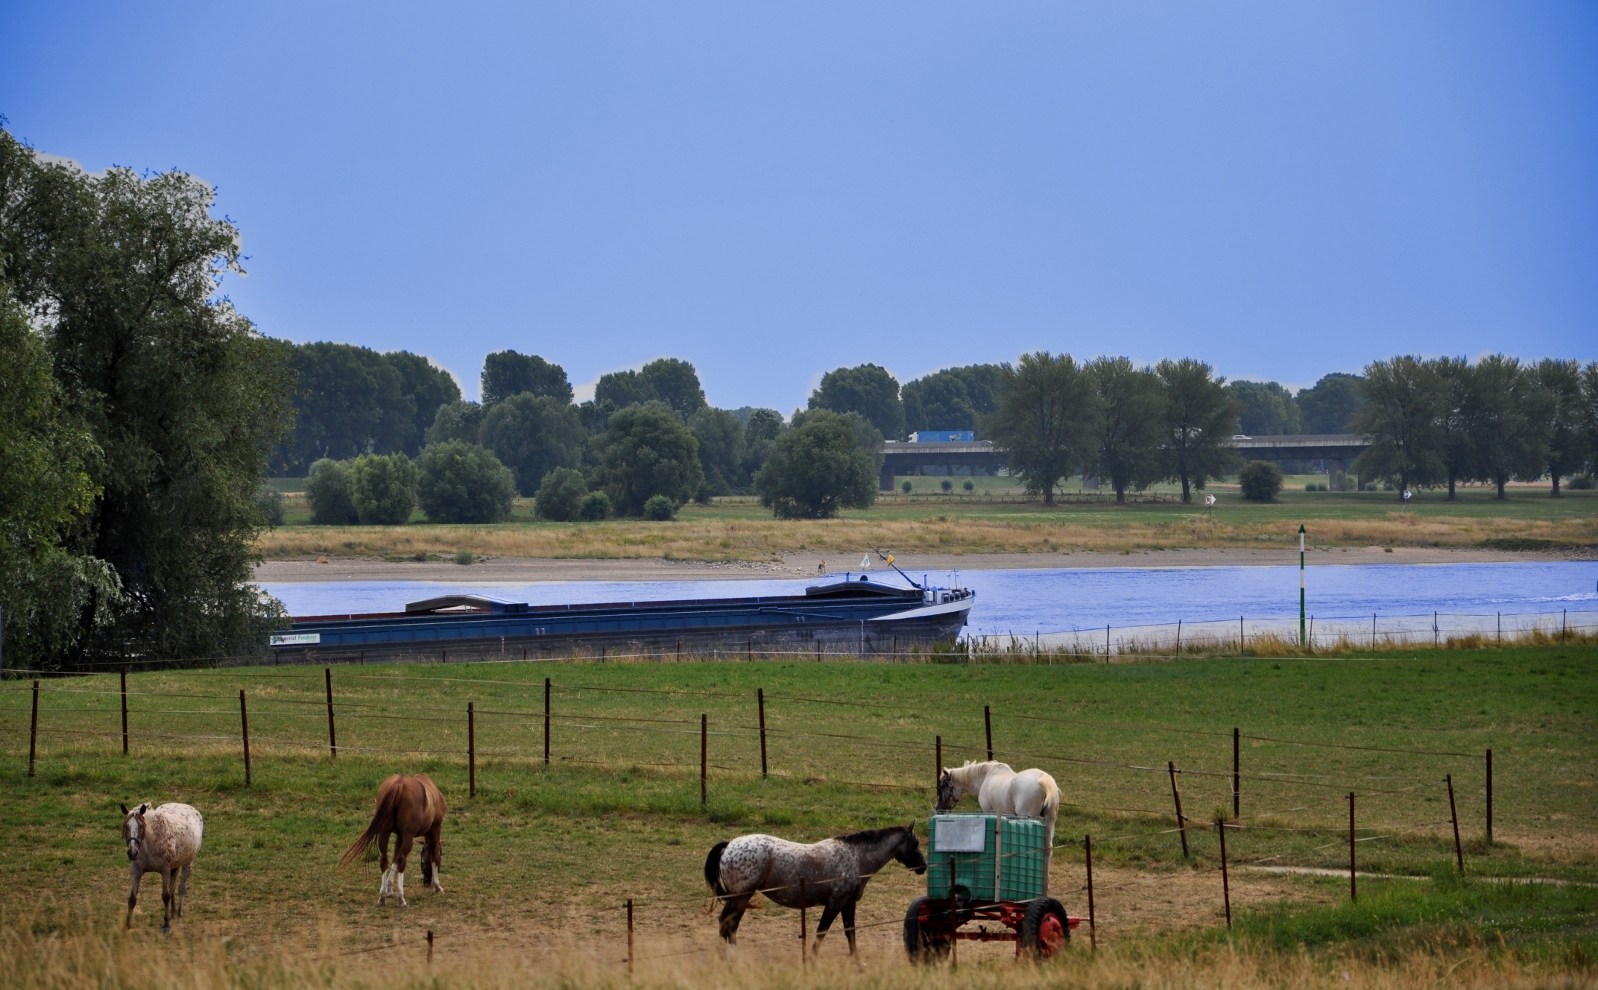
[{"x": 177, "y": 395}]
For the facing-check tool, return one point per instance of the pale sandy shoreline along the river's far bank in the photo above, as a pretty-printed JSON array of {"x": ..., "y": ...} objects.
[{"x": 800, "y": 566}]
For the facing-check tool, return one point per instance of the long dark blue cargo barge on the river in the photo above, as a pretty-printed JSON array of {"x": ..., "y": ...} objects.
[{"x": 853, "y": 617}]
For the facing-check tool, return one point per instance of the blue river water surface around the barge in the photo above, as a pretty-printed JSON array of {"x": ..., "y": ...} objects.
[{"x": 1067, "y": 603}]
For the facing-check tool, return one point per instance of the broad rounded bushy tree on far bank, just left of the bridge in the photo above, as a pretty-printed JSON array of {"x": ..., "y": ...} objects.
[{"x": 819, "y": 467}]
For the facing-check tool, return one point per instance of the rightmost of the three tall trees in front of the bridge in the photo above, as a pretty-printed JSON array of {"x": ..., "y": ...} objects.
[{"x": 1196, "y": 426}]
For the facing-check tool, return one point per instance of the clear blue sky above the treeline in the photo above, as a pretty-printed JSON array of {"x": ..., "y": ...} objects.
[{"x": 771, "y": 191}]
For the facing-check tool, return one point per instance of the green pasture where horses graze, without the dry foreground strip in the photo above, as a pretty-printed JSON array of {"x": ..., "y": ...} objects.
[{"x": 851, "y": 745}]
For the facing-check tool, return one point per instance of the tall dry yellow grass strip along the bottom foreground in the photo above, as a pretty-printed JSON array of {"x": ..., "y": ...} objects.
[{"x": 87, "y": 951}]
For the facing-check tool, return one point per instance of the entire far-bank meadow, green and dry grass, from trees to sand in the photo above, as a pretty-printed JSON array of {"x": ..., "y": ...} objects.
[{"x": 984, "y": 523}]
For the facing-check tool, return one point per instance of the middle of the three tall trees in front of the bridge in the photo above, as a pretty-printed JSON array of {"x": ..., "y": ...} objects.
[{"x": 1129, "y": 424}]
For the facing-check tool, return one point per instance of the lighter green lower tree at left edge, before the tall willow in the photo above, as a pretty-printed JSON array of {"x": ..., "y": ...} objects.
[{"x": 46, "y": 488}]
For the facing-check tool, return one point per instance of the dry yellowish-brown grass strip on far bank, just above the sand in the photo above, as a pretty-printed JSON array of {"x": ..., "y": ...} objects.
[{"x": 726, "y": 536}]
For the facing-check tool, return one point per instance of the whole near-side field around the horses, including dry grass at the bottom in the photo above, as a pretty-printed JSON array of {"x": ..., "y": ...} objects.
[{"x": 539, "y": 865}]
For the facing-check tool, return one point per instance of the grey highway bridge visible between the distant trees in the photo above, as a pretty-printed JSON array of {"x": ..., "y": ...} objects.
[{"x": 980, "y": 457}]
